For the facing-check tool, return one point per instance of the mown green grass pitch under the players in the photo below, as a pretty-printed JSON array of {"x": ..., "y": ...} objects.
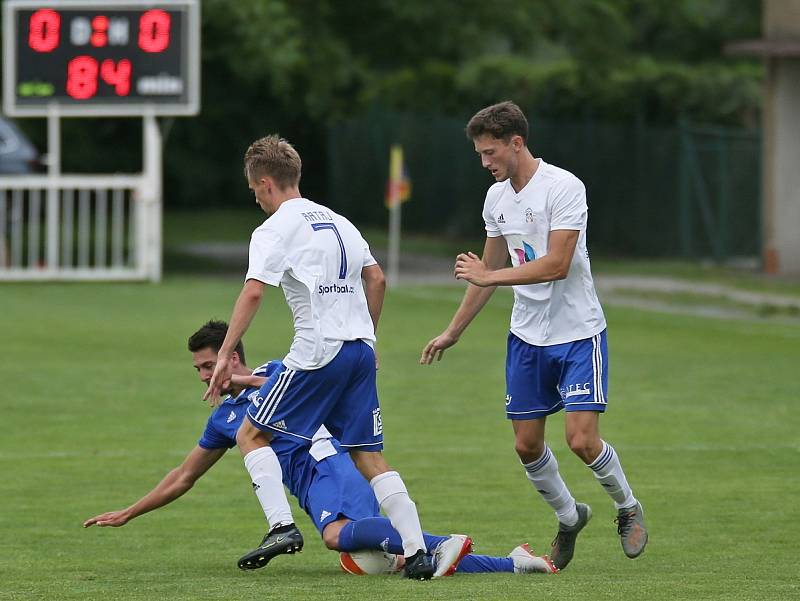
[{"x": 100, "y": 401}]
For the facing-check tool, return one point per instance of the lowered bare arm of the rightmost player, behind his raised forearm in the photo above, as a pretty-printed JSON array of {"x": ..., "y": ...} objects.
[{"x": 495, "y": 254}]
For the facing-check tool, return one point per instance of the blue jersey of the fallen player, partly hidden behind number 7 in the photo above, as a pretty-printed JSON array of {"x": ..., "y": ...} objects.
[{"x": 298, "y": 458}]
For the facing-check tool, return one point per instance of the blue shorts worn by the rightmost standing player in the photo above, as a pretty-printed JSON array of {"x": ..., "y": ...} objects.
[{"x": 541, "y": 380}]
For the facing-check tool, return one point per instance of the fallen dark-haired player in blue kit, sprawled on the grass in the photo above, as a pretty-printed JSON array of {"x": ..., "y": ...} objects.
[{"x": 320, "y": 475}]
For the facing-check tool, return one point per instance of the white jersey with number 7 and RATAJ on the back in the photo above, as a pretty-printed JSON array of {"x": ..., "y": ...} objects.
[{"x": 316, "y": 257}]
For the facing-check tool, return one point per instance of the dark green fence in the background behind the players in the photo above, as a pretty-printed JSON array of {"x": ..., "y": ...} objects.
[{"x": 688, "y": 190}]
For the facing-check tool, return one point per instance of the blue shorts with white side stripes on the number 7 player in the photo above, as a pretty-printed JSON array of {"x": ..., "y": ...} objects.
[{"x": 341, "y": 395}]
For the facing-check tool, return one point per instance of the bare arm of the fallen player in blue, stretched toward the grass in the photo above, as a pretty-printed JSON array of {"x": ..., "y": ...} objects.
[{"x": 172, "y": 486}]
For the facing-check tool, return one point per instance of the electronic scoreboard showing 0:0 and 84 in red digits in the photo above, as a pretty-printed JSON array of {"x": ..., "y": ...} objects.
[{"x": 102, "y": 58}]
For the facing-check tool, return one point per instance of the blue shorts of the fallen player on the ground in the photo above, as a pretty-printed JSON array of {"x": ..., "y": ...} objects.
[{"x": 339, "y": 491}]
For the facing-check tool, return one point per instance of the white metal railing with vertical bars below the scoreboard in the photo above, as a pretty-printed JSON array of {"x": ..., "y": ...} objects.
[{"x": 79, "y": 227}]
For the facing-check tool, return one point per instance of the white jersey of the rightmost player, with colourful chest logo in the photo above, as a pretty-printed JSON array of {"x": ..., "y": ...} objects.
[{"x": 554, "y": 199}]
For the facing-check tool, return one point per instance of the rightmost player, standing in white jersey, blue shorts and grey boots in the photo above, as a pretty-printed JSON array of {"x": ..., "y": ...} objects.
[{"x": 557, "y": 356}]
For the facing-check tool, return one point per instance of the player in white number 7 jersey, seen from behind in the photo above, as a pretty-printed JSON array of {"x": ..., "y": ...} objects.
[{"x": 335, "y": 290}]
